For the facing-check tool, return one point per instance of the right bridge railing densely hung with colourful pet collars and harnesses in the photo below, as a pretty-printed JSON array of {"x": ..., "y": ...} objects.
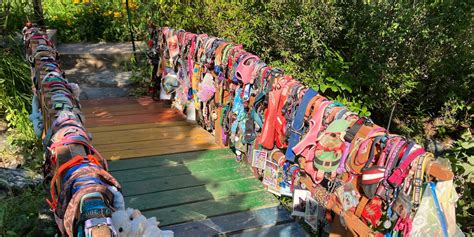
[{"x": 293, "y": 137}]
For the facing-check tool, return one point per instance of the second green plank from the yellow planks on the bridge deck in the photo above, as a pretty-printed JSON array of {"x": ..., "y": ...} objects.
[{"x": 173, "y": 169}]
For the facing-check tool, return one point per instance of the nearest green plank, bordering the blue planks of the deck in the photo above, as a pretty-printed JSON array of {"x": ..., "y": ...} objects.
[{"x": 206, "y": 209}]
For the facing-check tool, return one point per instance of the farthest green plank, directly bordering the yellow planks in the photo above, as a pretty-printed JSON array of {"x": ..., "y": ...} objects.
[{"x": 185, "y": 157}]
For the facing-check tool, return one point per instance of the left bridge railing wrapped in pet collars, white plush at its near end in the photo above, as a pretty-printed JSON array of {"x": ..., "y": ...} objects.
[{"x": 85, "y": 198}]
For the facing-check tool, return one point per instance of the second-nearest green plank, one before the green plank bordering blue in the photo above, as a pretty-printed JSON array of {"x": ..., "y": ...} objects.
[{"x": 194, "y": 194}]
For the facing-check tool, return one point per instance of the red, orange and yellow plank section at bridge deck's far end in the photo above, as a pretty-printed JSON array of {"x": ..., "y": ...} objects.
[{"x": 128, "y": 127}]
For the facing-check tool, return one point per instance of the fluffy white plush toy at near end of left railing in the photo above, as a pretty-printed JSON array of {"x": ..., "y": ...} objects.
[{"x": 131, "y": 223}]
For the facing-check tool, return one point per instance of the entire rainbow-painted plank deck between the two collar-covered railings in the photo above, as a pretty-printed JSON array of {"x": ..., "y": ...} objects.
[{"x": 172, "y": 169}]
